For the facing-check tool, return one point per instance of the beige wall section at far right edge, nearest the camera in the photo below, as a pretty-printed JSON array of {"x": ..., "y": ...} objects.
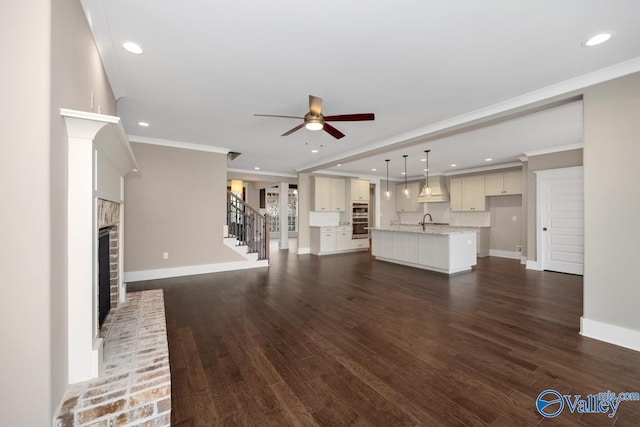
[{"x": 612, "y": 202}]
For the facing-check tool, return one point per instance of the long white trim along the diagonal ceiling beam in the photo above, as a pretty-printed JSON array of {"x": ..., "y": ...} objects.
[{"x": 567, "y": 88}]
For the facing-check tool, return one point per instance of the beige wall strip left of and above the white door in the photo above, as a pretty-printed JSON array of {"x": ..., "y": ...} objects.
[{"x": 562, "y": 159}]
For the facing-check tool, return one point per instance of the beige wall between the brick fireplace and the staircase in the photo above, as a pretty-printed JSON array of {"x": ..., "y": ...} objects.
[{"x": 175, "y": 204}]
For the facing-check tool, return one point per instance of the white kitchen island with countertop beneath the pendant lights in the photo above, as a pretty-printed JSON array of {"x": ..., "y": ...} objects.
[{"x": 438, "y": 248}]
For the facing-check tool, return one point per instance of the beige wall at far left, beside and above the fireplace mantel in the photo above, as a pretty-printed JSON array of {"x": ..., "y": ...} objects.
[{"x": 54, "y": 65}]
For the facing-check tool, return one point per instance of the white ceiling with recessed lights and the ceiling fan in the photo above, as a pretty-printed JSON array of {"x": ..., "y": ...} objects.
[{"x": 423, "y": 67}]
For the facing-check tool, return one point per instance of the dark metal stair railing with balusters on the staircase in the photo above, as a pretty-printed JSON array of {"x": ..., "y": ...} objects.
[{"x": 249, "y": 226}]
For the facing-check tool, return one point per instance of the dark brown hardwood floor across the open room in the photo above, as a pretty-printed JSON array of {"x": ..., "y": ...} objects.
[{"x": 346, "y": 340}]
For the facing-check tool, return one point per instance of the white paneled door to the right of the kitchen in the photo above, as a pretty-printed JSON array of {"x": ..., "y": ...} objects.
[{"x": 562, "y": 221}]
